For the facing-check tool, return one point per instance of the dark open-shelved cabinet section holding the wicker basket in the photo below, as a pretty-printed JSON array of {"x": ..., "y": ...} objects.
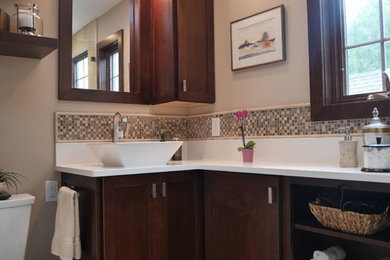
[{"x": 303, "y": 234}]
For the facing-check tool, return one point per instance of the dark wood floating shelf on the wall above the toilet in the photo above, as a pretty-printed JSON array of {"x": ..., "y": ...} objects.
[{"x": 26, "y": 46}]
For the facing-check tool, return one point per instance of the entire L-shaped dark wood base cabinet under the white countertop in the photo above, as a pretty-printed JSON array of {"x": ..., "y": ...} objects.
[{"x": 212, "y": 215}]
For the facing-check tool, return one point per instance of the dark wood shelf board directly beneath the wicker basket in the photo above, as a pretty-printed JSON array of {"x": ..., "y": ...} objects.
[{"x": 381, "y": 239}]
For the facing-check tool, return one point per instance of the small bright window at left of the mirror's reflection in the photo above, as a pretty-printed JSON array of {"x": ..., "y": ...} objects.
[{"x": 80, "y": 71}]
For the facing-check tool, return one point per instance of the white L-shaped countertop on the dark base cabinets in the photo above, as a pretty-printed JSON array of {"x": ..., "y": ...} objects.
[{"x": 308, "y": 171}]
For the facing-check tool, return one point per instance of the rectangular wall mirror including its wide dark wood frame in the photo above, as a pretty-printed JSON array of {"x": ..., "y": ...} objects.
[{"x": 104, "y": 51}]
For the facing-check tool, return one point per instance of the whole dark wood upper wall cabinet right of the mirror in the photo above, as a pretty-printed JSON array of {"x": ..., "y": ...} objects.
[{"x": 183, "y": 51}]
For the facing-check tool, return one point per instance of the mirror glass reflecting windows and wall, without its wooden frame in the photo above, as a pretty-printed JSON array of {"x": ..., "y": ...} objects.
[{"x": 99, "y": 51}]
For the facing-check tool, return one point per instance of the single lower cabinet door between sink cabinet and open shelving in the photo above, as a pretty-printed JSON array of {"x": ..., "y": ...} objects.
[{"x": 240, "y": 222}]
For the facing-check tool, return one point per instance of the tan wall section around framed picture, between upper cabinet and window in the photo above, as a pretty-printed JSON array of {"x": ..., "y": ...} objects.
[{"x": 277, "y": 84}]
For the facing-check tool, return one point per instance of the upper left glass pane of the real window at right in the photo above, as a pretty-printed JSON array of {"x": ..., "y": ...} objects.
[{"x": 361, "y": 21}]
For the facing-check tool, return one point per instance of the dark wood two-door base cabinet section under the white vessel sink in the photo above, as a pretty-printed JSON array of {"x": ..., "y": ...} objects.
[{"x": 141, "y": 217}]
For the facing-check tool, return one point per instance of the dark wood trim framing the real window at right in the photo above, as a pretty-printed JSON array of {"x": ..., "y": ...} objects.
[{"x": 326, "y": 61}]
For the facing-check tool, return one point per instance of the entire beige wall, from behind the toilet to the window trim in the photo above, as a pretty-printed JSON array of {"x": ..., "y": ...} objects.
[{"x": 28, "y": 99}]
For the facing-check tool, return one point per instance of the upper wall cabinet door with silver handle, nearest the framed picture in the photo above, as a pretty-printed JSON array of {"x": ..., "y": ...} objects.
[{"x": 195, "y": 34}]
